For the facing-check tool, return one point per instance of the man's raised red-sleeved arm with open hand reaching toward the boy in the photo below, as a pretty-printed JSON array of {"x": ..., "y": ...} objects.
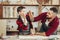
[{"x": 38, "y": 18}]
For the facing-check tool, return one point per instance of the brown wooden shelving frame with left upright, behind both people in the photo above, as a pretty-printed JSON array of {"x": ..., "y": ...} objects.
[{"x": 1, "y": 8}]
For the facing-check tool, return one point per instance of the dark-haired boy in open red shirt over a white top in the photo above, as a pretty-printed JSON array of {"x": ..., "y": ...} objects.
[{"x": 23, "y": 20}]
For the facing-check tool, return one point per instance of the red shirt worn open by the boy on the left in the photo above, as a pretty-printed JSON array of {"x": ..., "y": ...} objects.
[{"x": 22, "y": 26}]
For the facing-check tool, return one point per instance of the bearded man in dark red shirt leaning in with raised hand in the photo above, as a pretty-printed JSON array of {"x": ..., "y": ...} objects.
[{"x": 48, "y": 27}]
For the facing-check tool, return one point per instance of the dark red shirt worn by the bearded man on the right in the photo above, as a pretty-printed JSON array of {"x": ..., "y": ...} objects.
[{"x": 53, "y": 24}]
